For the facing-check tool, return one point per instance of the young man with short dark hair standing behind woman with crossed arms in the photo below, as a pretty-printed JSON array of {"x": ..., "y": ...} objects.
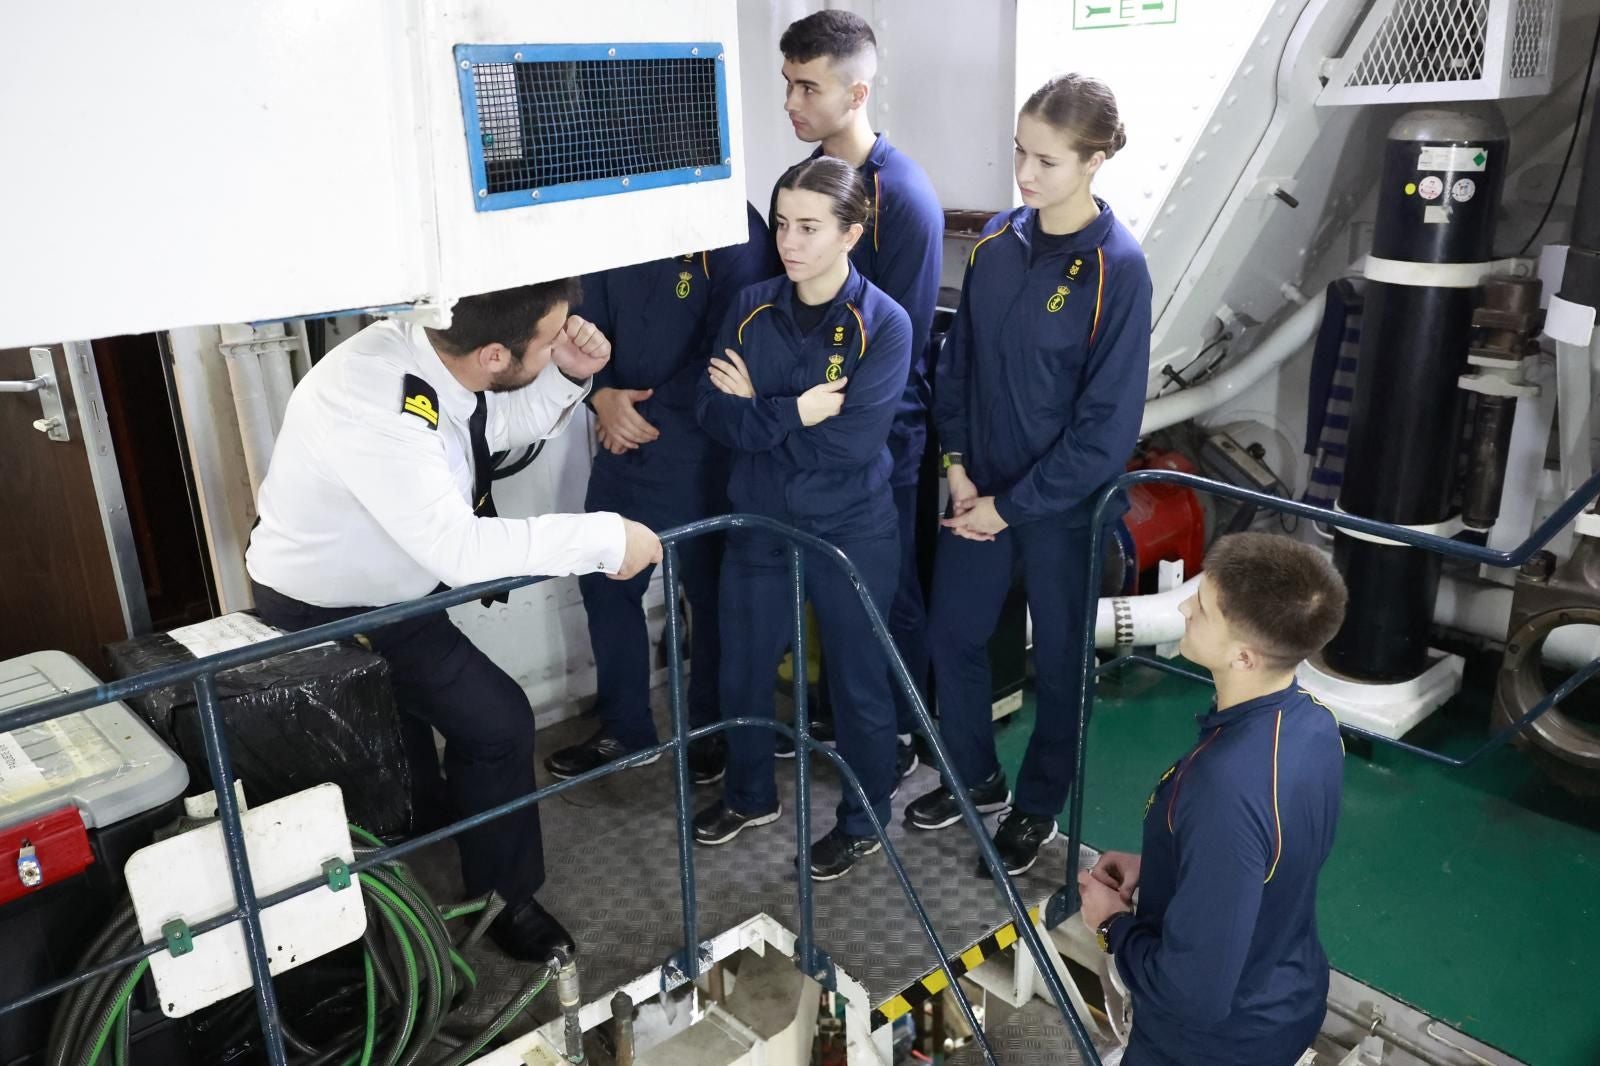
[{"x": 830, "y": 63}]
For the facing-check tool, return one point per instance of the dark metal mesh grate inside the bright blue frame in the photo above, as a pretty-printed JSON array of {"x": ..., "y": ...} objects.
[{"x": 546, "y": 124}]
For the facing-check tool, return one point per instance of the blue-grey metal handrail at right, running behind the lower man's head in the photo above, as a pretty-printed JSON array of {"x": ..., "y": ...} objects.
[{"x": 1066, "y": 902}]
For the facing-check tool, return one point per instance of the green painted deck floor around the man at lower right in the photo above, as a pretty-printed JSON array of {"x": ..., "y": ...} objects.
[{"x": 1471, "y": 894}]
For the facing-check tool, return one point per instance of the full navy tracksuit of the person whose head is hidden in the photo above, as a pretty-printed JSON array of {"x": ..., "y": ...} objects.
[{"x": 662, "y": 319}]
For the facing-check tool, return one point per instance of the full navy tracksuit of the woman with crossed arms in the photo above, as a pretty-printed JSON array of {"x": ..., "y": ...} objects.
[{"x": 831, "y": 481}]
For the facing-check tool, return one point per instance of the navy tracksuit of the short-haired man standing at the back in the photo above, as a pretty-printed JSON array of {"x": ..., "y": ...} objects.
[{"x": 903, "y": 254}]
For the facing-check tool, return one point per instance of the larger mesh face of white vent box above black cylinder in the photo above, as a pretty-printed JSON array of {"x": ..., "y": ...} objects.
[{"x": 1426, "y": 41}]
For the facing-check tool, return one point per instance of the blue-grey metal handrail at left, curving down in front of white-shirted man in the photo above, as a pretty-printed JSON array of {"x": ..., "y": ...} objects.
[{"x": 202, "y": 675}]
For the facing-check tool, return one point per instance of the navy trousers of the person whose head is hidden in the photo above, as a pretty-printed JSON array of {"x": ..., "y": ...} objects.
[{"x": 662, "y": 495}]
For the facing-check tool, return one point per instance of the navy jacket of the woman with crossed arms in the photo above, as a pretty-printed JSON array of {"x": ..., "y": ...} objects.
[{"x": 830, "y": 479}]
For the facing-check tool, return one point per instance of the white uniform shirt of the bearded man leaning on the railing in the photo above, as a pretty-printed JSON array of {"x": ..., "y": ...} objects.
[{"x": 367, "y": 505}]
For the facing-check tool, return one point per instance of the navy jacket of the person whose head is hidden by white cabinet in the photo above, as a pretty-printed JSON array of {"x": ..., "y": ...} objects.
[{"x": 662, "y": 319}]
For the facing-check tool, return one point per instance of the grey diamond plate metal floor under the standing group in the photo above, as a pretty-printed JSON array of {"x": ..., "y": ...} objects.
[{"x": 612, "y": 857}]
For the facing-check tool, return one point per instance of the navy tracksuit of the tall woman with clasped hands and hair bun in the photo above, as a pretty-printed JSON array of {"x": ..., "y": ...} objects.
[{"x": 1042, "y": 391}]
